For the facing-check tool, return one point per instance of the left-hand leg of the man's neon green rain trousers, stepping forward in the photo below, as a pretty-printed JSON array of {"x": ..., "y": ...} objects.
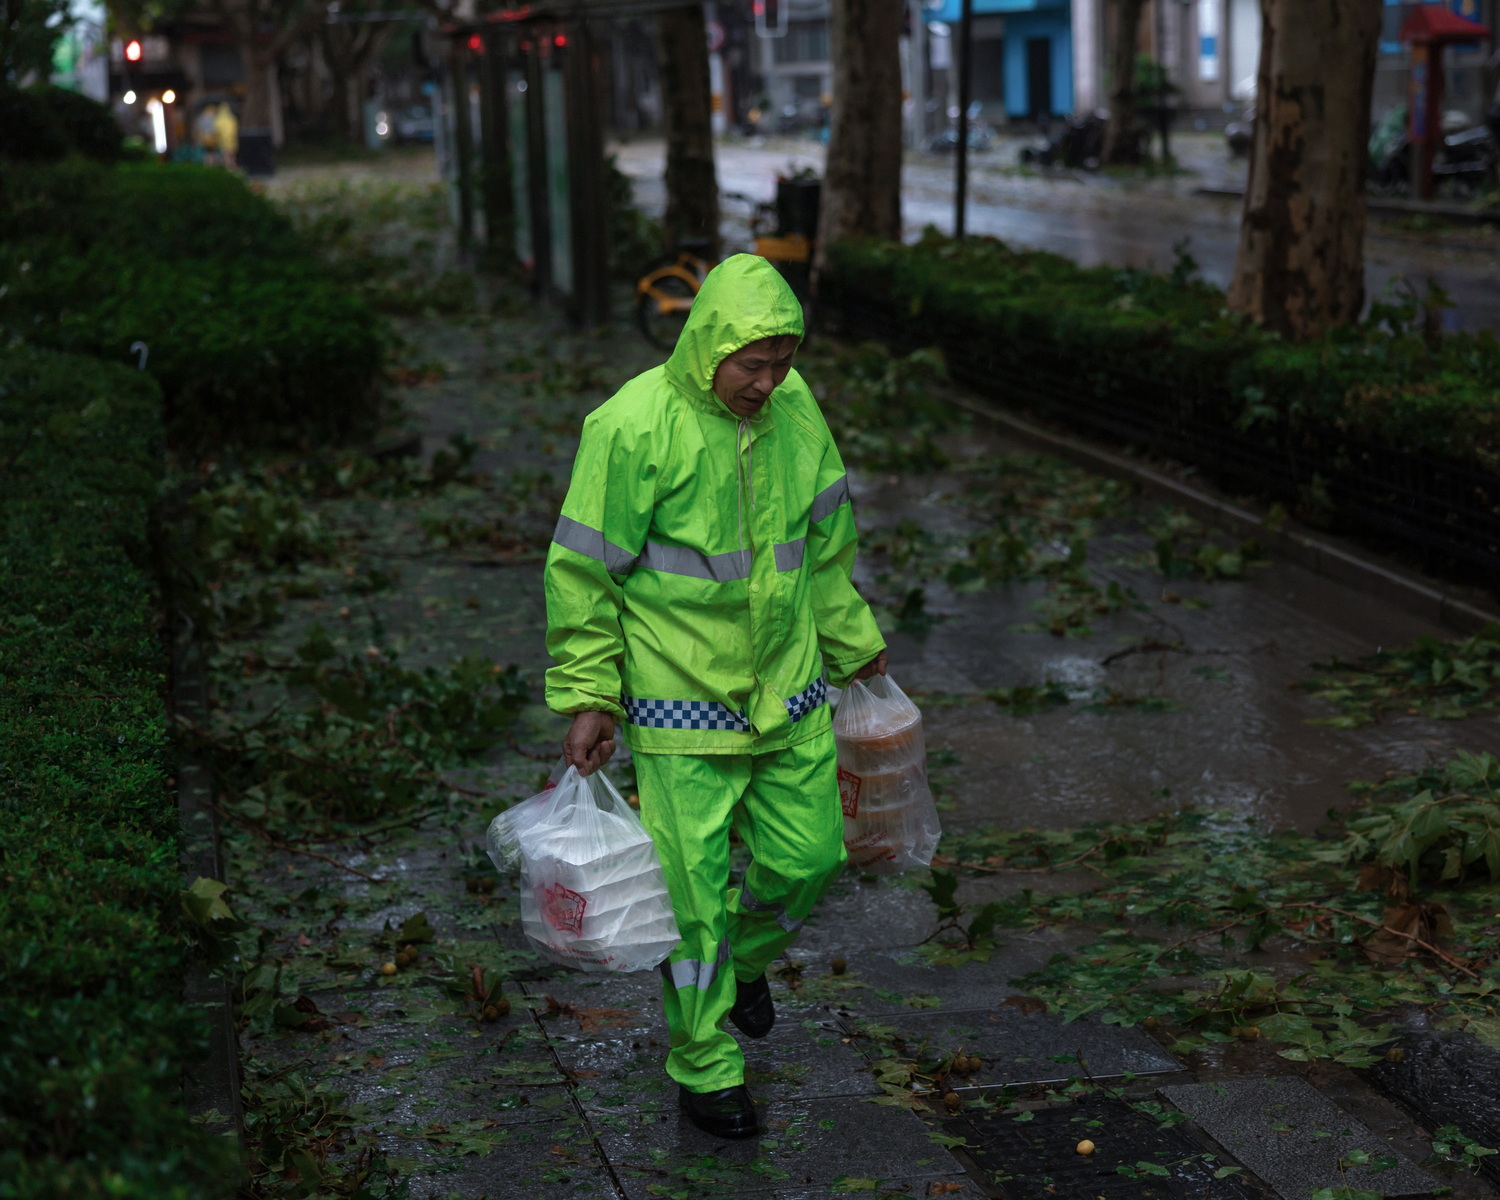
[{"x": 685, "y": 805}]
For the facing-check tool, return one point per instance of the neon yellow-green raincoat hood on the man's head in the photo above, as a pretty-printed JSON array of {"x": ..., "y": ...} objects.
[{"x": 743, "y": 301}]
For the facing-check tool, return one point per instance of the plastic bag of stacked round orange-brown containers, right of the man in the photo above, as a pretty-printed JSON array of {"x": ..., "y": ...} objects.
[{"x": 890, "y": 818}]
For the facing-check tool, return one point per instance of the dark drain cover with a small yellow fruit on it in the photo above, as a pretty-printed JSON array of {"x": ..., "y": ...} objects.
[{"x": 1039, "y": 1160}]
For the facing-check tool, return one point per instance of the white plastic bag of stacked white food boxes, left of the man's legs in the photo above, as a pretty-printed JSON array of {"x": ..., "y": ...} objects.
[{"x": 592, "y": 887}]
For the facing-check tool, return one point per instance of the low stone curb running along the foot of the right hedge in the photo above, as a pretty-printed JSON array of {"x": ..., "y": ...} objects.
[{"x": 1406, "y": 592}]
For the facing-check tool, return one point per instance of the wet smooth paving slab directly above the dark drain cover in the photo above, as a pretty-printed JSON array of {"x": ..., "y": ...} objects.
[{"x": 1024, "y": 1048}]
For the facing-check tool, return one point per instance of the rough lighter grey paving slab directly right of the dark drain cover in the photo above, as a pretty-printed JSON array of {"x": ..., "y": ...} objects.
[{"x": 1294, "y": 1138}]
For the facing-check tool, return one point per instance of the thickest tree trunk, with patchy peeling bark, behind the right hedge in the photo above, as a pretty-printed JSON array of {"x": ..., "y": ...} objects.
[{"x": 1301, "y": 265}]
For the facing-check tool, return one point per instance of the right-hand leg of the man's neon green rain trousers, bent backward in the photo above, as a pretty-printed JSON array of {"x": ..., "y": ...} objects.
[{"x": 793, "y": 824}]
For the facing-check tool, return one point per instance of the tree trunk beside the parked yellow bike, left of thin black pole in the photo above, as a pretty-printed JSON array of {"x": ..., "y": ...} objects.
[{"x": 863, "y": 178}]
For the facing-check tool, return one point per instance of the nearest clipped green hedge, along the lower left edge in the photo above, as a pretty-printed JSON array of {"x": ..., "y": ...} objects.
[{"x": 94, "y": 1033}]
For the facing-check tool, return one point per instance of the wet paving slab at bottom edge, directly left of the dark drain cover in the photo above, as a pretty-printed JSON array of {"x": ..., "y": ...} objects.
[{"x": 809, "y": 1147}]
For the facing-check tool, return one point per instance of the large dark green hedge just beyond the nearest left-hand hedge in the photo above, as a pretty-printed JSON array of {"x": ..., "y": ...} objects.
[{"x": 248, "y": 335}]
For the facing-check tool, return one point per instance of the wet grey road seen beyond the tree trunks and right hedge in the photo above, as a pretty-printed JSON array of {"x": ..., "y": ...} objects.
[{"x": 1100, "y": 221}]
